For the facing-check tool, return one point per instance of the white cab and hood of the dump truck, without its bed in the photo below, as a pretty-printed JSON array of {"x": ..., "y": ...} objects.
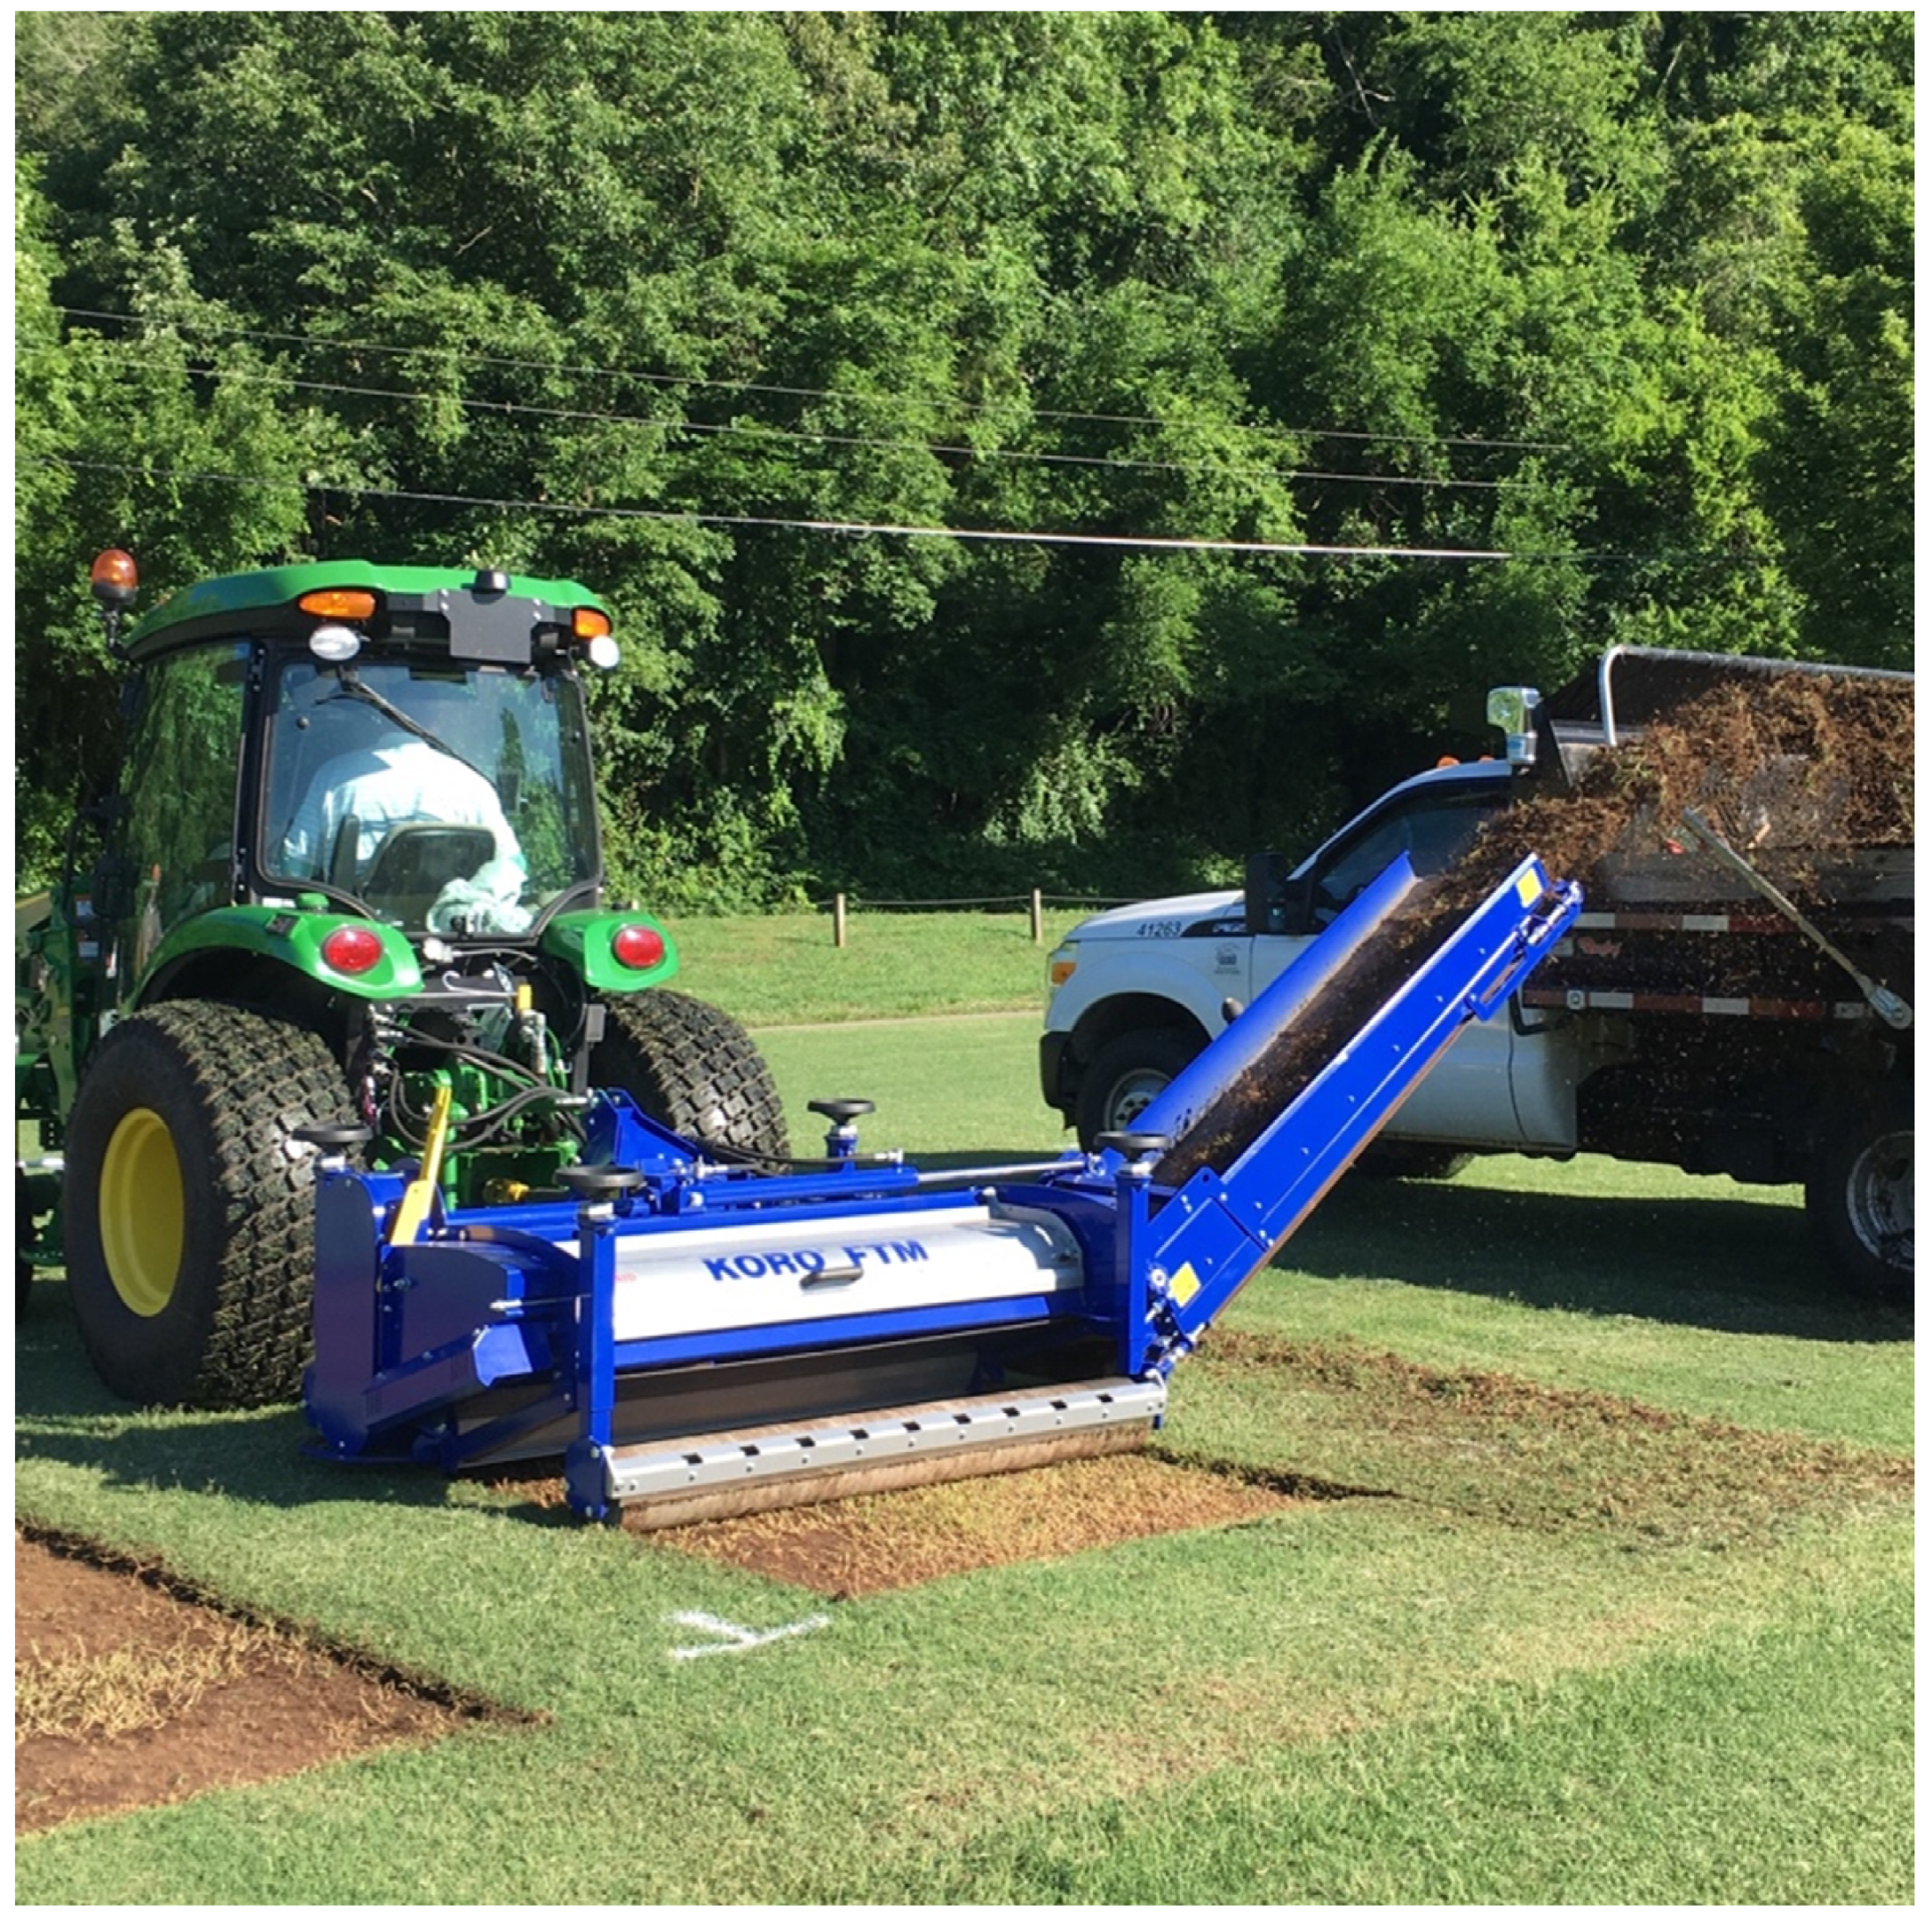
[{"x": 1137, "y": 994}]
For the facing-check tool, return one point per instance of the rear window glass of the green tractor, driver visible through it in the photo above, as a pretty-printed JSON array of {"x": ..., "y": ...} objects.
[{"x": 451, "y": 799}]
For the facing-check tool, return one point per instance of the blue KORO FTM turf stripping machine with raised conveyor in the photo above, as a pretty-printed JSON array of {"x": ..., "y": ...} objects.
[{"x": 700, "y": 1340}]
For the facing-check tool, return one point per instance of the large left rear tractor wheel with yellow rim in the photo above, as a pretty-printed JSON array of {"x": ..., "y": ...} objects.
[{"x": 190, "y": 1210}]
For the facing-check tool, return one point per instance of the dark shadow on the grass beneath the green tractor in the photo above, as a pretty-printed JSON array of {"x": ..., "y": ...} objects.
[{"x": 63, "y": 1415}]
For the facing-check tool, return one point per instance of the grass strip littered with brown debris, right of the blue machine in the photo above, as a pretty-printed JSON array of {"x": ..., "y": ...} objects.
[{"x": 1502, "y": 1448}]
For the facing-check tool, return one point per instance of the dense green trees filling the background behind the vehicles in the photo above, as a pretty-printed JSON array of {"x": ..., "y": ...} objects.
[{"x": 683, "y": 302}]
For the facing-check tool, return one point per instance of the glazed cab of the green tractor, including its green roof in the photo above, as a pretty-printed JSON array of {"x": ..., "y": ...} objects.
[{"x": 407, "y": 747}]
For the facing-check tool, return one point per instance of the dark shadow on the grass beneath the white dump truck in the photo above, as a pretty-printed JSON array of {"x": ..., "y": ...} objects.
[{"x": 1720, "y": 1264}]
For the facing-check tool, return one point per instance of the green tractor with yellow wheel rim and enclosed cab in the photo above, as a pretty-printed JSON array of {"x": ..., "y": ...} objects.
[{"x": 347, "y": 893}]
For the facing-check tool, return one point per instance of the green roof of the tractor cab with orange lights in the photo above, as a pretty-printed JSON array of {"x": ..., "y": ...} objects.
[{"x": 478, "y": 615}]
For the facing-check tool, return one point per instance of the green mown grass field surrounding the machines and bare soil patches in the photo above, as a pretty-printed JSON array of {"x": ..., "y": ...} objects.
[{"x": 1606, "y": 1597}]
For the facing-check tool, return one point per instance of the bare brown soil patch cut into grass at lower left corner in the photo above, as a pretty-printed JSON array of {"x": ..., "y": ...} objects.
[{"x": 130, "y": 1691}]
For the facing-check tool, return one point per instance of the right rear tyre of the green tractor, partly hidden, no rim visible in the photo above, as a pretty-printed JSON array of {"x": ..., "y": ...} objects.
[{"x": 693, "y": 1069}]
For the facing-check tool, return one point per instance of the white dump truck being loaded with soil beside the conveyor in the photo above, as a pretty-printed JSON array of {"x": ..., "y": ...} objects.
[{"x": 1722, "y": 1005}]
